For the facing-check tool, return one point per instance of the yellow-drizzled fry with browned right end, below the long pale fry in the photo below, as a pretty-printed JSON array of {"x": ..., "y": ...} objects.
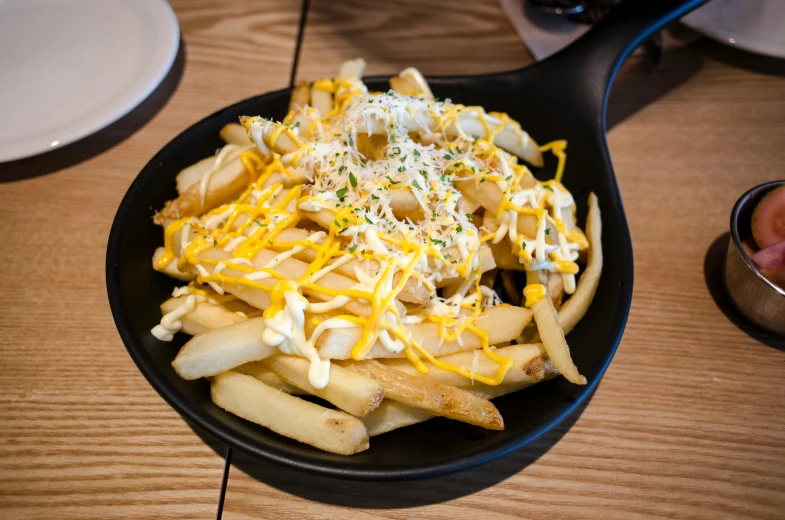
[{"x": 526, "y": 366}]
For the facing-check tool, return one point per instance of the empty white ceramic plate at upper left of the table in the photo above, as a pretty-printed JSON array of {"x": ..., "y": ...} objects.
[{"x": 71, "y": 67}]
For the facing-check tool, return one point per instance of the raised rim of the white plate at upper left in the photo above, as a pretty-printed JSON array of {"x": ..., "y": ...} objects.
[{"x": 168, "y": 29}]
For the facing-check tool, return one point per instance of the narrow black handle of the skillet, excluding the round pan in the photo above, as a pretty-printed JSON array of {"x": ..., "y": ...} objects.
[{"x": 597, "y": 56}]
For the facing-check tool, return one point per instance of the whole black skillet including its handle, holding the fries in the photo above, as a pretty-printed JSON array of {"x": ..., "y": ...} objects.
[{"x": 562, "y": 97}]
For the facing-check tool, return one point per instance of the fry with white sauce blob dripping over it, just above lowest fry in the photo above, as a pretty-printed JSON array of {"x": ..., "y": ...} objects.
[{"x": 348, "y": 390}]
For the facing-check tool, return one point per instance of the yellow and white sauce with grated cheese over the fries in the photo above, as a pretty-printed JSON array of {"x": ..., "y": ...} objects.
[{"x": 389, "y": 207}]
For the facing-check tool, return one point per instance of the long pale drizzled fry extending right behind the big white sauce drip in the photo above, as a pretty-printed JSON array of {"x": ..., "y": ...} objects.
[{"x": 501, "y": 323}]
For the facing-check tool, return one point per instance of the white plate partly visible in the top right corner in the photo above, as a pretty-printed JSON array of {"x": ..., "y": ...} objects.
[{"x": 753, "y": 25}]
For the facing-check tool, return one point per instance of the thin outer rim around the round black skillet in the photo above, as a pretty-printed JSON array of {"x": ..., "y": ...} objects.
[{"x": 235, "y": 439}]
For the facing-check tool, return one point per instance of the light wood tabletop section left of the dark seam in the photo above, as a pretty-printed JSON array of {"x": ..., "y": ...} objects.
[{"x": 82, "y": 434}]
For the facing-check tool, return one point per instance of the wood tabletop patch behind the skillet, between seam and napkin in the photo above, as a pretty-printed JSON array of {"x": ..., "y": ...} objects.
[{"x": 463, "y": 37}]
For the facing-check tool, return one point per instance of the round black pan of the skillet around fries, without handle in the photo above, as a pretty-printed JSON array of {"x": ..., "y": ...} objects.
[{"x": 431, "y": 448}]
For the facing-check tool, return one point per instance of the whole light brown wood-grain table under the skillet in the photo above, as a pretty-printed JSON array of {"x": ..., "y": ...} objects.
[{"x": 688, "y": 422}]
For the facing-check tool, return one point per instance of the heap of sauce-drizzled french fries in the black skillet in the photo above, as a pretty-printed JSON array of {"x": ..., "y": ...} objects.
[{"x": 256, "y": 192}]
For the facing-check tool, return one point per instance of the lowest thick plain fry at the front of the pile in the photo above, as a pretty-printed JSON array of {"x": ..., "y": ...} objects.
[{"x": 290, "y": 416}]
